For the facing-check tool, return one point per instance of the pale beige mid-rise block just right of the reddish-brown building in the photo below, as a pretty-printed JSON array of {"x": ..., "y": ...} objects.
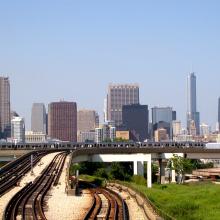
[{"x": 87, "y": 120}]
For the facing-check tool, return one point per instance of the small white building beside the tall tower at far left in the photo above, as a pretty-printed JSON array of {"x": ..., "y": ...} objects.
[{"x": 18, "y": 130}]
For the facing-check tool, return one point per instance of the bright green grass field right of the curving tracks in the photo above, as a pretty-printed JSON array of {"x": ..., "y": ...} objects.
[{"x": 199, "y": 201}]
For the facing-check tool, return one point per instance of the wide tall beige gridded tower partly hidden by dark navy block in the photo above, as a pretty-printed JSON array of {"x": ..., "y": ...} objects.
[{"x": 119, "y": 95}]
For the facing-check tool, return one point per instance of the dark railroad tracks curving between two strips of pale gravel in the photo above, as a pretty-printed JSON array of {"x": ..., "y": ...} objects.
[{"x": 28, "y": 203}]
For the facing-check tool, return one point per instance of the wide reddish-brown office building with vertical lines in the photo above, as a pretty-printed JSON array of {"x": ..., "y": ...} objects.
[{"x": 62, "y": 121}]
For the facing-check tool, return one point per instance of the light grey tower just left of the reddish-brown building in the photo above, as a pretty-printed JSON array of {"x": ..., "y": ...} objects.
[{"x": 38, "y": 118}]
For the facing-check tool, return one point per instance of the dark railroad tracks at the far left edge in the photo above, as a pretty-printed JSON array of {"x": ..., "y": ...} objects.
[{"x": 10, "y": 175}]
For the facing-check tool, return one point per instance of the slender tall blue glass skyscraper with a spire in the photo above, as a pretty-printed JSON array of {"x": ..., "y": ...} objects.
[{"x": 192, "y": 114}]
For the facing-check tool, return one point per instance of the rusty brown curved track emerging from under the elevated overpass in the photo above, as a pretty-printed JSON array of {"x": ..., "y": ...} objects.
[{"x": 107, "y": 204}]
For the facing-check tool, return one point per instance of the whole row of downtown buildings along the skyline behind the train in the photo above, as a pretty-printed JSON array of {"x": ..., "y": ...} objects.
[{"x": 125, "y": 119}]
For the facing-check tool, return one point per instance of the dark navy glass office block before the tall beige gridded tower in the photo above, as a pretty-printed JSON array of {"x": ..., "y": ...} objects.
[{"x": 135, "y": 119}]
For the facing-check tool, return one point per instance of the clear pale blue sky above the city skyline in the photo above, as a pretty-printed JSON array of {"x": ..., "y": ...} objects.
[{"x": 71, "y": 50}]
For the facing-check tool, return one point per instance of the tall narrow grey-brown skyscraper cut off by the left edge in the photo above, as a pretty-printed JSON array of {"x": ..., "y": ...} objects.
[{"x": 5, "y": 114}]
